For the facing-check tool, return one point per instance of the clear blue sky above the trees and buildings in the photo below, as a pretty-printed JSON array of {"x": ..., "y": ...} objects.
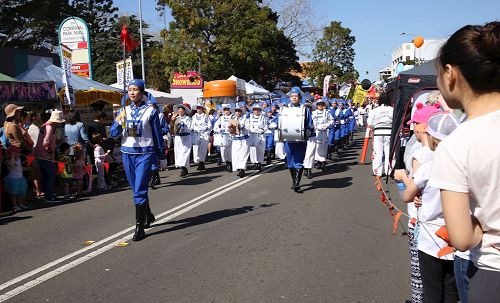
[{"x": 375, "y": 24}]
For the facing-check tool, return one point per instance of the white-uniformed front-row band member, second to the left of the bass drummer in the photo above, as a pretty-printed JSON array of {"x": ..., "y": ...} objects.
[{"x": 239, "y": 151}]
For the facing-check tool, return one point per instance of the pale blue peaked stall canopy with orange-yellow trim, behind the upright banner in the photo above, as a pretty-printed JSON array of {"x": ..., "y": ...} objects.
[{"x": 86, "y": 91}]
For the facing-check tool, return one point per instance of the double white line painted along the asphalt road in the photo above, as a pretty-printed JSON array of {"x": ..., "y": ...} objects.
[{"x": 20, "y": 289}]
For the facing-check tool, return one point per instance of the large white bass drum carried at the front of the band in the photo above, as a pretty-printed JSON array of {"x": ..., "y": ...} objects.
[{"x": 292, "y": 124}]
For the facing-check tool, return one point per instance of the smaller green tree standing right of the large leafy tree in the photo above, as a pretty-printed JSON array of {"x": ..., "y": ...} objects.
[{"x": 333, "y": 55}]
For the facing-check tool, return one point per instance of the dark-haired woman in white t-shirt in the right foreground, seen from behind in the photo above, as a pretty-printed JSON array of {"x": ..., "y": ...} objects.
[{"x": 467, "y": 163}]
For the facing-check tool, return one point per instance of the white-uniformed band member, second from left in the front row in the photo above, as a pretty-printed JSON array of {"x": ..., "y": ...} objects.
[{"x": 200, "y": 135}]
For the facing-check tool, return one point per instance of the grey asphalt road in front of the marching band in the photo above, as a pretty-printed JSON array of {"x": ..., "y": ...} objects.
[{"x": 247, "y": 240}]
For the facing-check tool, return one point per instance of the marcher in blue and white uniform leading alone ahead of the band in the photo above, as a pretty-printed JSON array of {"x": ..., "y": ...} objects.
[{"x": 142, "y": 143}]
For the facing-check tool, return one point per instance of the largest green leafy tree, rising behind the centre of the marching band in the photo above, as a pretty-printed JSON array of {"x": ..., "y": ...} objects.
[{"x": 237, "y": 37}]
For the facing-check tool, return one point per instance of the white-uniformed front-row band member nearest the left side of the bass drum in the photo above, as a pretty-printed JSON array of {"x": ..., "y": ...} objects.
[{"x": 257, "y": 127}]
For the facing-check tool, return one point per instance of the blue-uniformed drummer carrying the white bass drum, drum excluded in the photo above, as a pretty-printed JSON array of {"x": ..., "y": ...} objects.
[{"x": 296, "y": 151}]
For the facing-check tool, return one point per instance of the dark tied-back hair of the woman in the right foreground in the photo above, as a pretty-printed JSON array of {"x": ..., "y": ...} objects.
[{"x": 475, "y": 50}]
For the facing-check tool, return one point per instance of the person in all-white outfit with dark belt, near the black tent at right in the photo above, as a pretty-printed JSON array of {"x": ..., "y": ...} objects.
[{"x": 380, "y": 119}]
